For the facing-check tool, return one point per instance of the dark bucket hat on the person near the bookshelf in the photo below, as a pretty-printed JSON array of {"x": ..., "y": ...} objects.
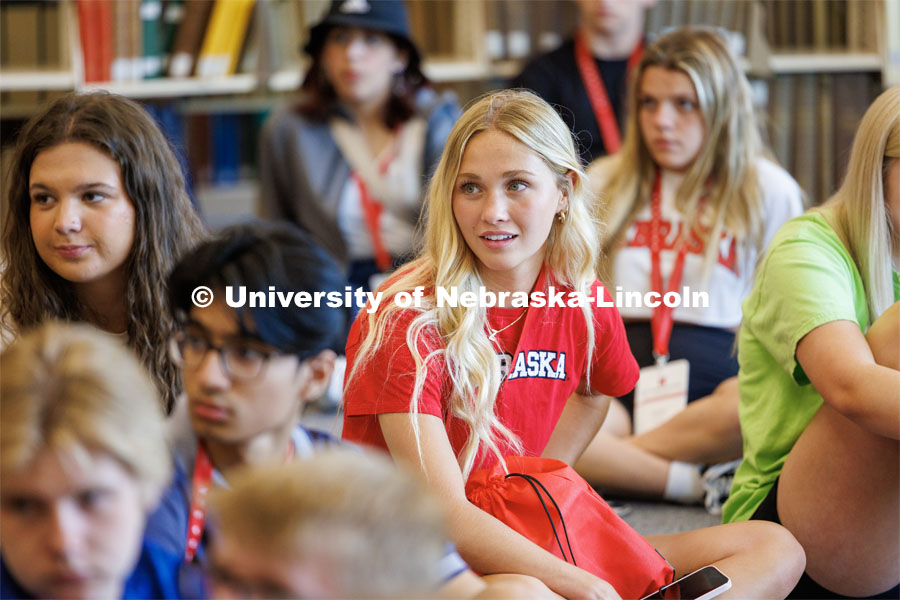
[{"x": 386, "y": 16}]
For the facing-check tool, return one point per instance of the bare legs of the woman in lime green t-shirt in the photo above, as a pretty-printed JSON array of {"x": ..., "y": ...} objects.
[{"x": 839, "y": 491}]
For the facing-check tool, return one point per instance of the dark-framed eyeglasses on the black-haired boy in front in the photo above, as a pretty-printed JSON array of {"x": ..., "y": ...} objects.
[{"x": 240, "y": 359}]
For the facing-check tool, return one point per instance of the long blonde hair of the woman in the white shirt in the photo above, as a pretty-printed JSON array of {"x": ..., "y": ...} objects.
[{"x": 725, "y": 168}]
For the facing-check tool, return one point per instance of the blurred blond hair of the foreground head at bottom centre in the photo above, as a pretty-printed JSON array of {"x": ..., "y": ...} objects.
[{"x": 378, "y": 530}]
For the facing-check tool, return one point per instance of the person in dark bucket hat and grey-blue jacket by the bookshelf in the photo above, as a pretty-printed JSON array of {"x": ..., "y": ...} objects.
[{"x": 348, "y": 161}]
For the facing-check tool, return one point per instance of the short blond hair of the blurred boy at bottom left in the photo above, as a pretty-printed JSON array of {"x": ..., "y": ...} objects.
[{"x": 78, "y": 390}]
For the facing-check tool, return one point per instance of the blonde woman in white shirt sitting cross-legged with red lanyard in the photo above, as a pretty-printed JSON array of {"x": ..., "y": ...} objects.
[{"x": 691, "y": 201}]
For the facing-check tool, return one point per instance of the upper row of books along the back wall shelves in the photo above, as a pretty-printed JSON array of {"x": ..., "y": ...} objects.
[{"x": 137, "y": 39}]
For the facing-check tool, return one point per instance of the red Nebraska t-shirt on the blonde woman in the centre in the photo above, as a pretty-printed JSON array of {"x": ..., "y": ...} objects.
[{"x": 543, "y": 356}]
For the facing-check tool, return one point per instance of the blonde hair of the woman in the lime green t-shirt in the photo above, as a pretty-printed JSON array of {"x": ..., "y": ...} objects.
[{"x": 861, "y": 214}]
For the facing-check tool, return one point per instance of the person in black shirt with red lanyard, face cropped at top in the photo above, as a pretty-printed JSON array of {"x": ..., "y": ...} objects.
[{"x": 585, "y": 79}]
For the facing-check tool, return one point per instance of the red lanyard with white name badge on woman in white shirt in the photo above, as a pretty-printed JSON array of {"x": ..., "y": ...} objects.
[{"x": 662, "y": 390}]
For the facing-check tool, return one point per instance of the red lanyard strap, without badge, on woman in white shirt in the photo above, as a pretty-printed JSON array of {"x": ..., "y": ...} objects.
[{"x": 662, "y": 321}]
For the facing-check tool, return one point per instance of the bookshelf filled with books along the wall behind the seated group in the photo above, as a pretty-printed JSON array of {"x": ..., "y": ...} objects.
[{"x": 795, "y": 49}]
